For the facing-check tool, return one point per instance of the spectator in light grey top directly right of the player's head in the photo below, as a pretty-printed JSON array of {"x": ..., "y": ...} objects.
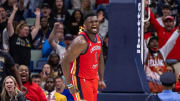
[{"x": 103, "y": 23}]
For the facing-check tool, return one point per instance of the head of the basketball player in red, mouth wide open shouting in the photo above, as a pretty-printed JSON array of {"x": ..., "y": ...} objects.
[{"x": 92, "y": 24}]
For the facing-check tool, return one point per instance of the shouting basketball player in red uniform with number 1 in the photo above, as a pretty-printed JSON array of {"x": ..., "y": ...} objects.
[{"x": 83, "y": 64}]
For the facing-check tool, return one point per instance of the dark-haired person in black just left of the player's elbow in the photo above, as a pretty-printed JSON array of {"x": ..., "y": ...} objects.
[{"x": 54, "y": 62}]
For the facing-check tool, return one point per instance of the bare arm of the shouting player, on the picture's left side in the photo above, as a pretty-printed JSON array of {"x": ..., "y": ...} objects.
[{"x": 77, "y": 47}]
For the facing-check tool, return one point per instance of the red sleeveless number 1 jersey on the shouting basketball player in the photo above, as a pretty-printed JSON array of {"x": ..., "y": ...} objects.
[{"x": 86, "y": 65}]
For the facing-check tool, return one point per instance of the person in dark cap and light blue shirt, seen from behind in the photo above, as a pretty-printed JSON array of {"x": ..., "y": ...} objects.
[{"x": 168, "y": 79}]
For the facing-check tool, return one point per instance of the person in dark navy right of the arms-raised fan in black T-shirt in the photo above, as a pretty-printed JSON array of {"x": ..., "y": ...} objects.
[{"x": 42, "y": 35}]
